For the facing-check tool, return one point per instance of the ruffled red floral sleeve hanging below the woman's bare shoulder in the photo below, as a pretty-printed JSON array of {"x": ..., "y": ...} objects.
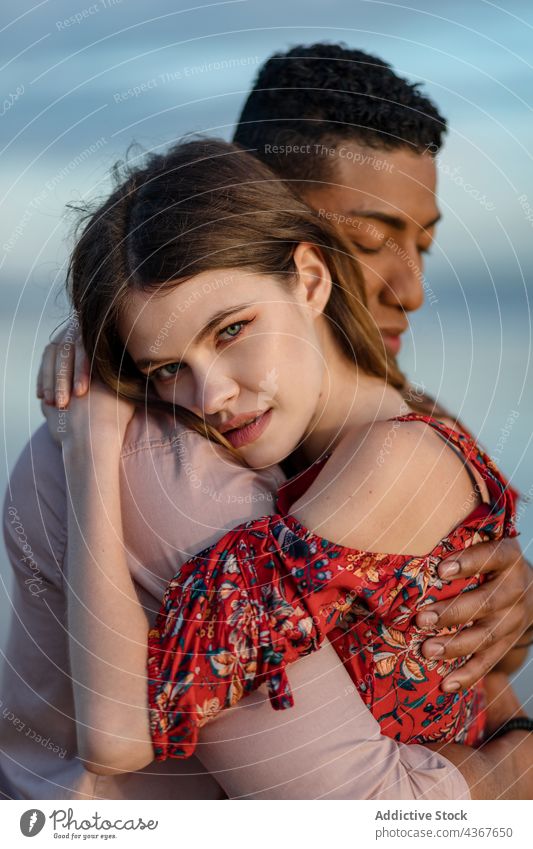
[{"x": 267, "y": 593}]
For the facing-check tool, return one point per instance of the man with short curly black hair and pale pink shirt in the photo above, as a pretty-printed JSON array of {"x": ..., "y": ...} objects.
[{"x": 37, "y": 650}]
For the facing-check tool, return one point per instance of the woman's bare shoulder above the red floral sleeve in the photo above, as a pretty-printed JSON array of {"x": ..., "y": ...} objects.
[{"x": 390, "y": 486}]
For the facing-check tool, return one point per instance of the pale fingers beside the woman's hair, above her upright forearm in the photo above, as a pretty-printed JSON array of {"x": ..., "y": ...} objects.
[{"x": 64, "y": 368}]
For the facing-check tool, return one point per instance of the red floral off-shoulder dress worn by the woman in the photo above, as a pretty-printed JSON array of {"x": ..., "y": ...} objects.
[{"x": 271, "y": 590}]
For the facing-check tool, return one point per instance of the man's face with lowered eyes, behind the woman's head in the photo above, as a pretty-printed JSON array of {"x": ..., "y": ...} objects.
[{"x": 384, "y": 202}]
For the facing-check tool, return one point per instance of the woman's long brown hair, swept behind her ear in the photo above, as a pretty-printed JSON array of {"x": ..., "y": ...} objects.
[{"x": 205, "y": 205}]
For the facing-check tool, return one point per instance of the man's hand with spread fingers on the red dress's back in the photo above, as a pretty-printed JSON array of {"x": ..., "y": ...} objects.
[{"x": 501, "y": 610}]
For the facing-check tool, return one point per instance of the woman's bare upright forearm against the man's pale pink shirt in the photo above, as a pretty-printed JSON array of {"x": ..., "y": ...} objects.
[{"x": 107, "y": 625}]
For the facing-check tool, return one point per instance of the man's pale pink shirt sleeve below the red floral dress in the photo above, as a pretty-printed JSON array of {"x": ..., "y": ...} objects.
[{"x": 329, "y": 746}]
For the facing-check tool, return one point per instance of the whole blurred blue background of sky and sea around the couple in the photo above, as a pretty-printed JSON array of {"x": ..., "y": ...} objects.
[{"x": 66, "y": 116}]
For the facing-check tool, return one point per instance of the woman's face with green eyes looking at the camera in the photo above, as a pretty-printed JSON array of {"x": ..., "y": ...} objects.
[{"x": 233, "y": 344}]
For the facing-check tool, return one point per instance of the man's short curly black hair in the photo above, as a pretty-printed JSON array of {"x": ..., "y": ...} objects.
[{"x": 323, "y": 94}]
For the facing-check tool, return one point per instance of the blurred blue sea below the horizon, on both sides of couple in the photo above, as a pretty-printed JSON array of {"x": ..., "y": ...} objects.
[{"x": 472, "y": 352}]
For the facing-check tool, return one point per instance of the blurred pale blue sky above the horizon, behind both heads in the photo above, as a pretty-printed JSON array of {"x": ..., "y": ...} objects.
[{"x": 72, "y": 118}]
